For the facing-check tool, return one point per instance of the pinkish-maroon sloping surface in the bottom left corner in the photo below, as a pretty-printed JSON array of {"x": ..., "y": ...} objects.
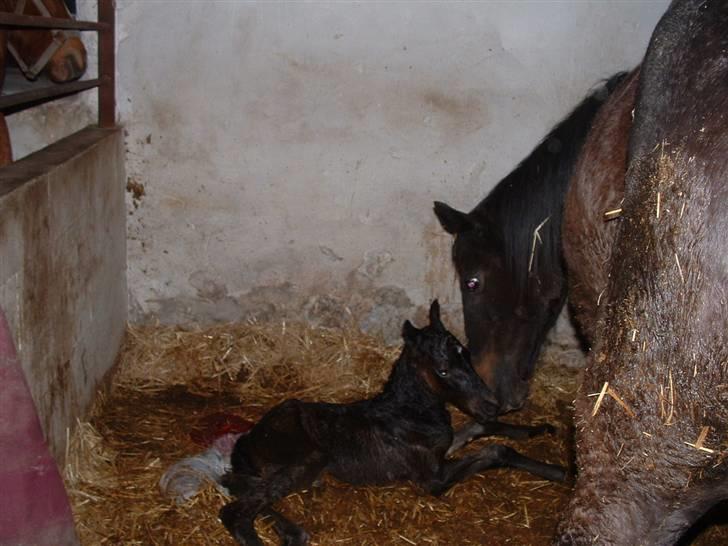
[{"x": 34, "y": 508}]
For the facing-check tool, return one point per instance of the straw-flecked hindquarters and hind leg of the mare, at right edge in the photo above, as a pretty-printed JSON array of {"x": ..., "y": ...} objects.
[{"x": 652, "y": 452}]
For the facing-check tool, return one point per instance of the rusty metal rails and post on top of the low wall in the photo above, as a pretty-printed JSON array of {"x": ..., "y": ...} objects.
[{"x": 105, "y": 83}]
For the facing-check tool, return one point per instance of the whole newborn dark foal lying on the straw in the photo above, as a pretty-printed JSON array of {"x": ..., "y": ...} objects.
[{"x": 401, "y": 434}]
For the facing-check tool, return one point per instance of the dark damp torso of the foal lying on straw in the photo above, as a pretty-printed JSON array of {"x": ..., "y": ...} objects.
[{"x": 375, "y": 441}]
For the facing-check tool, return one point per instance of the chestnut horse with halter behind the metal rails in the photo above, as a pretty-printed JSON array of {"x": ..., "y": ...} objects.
[{"x": 38, "y": 51}]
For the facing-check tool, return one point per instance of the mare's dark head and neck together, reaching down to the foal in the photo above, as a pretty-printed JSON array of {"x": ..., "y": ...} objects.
[{"x": 508, "y": 255}]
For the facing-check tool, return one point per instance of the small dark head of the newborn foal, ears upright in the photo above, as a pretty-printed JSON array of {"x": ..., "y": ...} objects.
[{"x": 445, "y": 365}]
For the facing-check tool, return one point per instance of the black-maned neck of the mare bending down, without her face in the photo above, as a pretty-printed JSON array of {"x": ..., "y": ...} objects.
[{"x": 536, "y": 189}]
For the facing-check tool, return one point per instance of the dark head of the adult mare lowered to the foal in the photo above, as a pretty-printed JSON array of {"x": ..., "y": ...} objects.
[{"x": 512, "y": 291}]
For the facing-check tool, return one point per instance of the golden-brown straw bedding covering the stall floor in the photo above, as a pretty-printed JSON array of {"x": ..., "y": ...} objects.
[{"x": 170, "y": 378}]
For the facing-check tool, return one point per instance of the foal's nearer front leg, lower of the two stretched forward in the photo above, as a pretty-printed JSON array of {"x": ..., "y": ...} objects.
[{"x": 452, "y": 471}]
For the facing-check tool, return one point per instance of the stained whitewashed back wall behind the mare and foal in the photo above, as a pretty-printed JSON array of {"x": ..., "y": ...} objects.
[{"x": 283, "y": 157}]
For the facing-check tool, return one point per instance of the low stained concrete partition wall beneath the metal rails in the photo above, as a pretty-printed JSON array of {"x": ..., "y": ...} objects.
[{"x": 63, "y": 270}]
